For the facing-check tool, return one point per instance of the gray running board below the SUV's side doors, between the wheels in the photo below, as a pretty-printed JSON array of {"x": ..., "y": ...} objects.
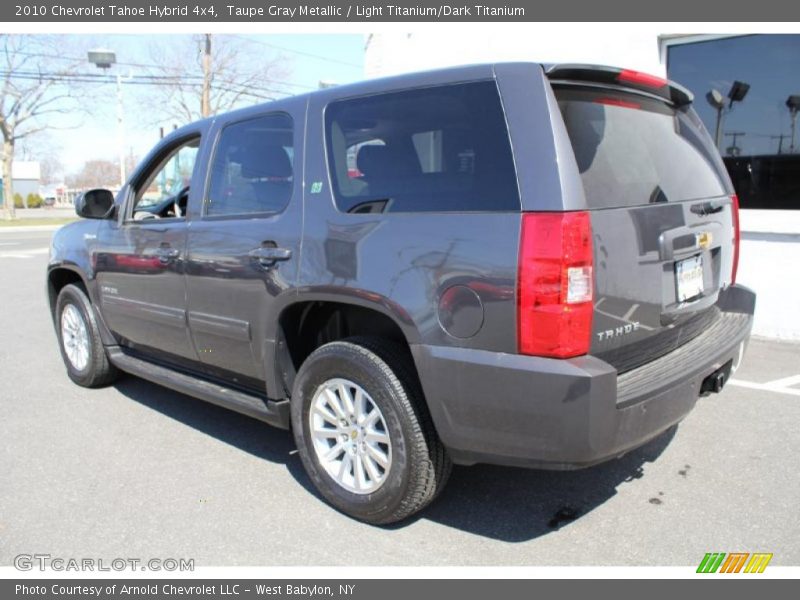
[{"x": 274, "y": 412}]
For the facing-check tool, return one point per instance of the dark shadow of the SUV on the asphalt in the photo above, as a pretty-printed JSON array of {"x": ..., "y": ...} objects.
[{"x": 503, "y": 503}]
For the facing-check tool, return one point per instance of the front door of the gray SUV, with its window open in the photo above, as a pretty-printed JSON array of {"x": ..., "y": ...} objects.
[{"x": 141, "y": 258}]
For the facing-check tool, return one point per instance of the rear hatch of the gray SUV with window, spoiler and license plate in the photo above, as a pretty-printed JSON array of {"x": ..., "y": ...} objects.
[{"x": 661, "y": 207}]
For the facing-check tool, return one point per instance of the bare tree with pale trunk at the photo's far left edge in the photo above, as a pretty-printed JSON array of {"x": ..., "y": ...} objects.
[{"x": 32, "y": 90}]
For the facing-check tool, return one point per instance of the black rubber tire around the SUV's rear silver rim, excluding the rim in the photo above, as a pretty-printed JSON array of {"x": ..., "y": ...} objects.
[{"x": 419, "y": 466}]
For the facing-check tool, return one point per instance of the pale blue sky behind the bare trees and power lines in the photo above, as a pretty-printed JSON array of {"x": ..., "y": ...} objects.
[{"x": 75, "y": 138}]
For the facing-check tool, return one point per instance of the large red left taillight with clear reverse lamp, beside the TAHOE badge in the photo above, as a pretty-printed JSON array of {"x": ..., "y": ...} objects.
[{"x": 555, "y": 287}]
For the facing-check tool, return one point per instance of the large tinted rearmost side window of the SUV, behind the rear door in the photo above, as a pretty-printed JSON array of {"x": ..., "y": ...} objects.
[{"x": 438, "y": 149}]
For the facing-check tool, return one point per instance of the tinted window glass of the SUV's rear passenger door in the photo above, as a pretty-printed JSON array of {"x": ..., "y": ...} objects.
[{"x": 252, "y": 171}]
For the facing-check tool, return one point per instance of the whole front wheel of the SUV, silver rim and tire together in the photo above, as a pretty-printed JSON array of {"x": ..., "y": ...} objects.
[{"x": 79, "y": 340}]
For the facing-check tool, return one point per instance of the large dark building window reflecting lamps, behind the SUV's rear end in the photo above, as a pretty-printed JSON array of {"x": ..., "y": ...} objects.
[{"x": 758, "y": 136}]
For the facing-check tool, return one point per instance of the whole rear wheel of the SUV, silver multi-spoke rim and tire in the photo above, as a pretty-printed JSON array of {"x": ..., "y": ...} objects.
[{"x": 363, "y": 431}]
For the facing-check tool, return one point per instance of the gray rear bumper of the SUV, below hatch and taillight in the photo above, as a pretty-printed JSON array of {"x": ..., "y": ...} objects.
[{"x": 519, "y": 410}]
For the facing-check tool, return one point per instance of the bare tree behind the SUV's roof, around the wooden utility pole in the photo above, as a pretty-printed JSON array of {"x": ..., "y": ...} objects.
[{"x": 214, "y": 74}]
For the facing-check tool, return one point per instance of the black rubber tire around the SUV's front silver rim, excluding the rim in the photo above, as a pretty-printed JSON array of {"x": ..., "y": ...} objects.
[{"x": 98, "y": 371}]
